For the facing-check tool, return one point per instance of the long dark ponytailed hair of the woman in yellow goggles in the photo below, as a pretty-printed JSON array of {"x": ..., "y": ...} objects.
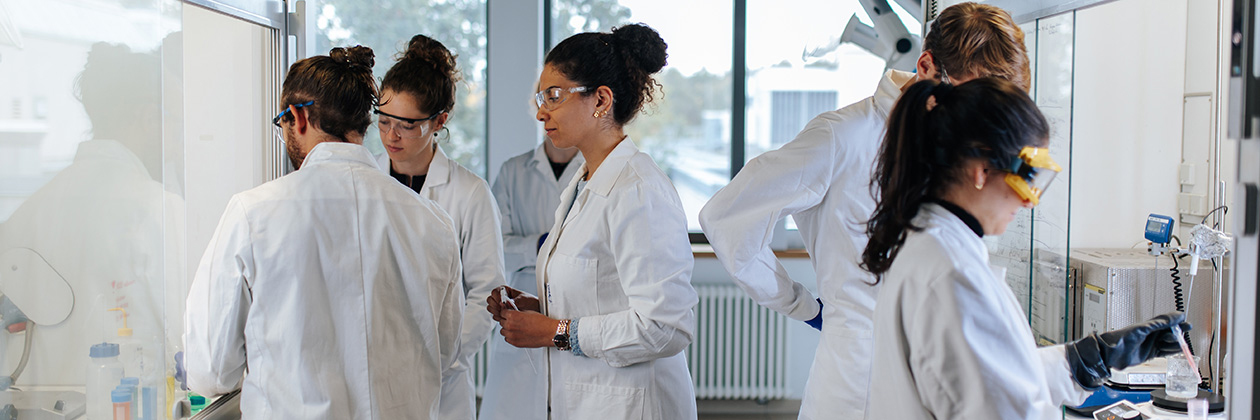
[{"x": 927, "y": 148}]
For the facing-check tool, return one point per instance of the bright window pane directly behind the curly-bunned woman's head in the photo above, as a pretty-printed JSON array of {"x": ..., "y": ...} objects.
[{"x": 687, "y": 131}]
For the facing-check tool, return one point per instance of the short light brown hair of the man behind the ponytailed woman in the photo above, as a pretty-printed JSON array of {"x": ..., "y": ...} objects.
[{"x": 980, "y": 41}]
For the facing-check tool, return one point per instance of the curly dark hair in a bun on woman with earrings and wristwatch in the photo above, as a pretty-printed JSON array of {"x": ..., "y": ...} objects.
[{"x": 624, "y": 61}]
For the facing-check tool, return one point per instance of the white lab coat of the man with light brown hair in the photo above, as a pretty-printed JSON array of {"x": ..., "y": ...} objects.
[{"x": 823, "y": 180}]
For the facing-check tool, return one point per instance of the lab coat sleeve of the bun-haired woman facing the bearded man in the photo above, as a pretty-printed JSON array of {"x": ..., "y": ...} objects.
[{"x": 482, "y": 259}]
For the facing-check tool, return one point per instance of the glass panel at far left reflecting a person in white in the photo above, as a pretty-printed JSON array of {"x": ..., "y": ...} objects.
[{"x": 89, "y": 194}]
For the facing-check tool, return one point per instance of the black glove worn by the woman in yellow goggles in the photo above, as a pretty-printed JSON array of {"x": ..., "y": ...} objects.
[{"x": 1092, "y": 359}]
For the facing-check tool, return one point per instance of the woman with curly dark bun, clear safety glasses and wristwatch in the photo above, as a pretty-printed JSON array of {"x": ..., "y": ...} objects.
[{"x": 616, "y": 269}]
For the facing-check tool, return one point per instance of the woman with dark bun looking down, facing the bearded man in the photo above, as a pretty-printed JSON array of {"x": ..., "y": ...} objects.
[{"x": 418, "y": 96}]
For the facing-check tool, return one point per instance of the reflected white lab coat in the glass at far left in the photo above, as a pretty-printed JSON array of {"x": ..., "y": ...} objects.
[{"x": 103, "y": 224}]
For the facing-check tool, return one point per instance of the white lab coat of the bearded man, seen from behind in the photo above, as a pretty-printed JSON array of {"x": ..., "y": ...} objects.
[{"x": 336, "y": 287}]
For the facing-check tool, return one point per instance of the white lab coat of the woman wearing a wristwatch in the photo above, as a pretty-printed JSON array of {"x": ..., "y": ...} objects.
[{"x": 621, "y": 264}]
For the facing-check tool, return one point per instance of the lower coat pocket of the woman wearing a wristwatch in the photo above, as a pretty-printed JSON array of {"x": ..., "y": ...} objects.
[{"x": 604, "y": 402}]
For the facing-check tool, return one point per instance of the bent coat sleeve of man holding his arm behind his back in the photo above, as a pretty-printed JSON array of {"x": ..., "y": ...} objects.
[{"x": 740, "y": 220}]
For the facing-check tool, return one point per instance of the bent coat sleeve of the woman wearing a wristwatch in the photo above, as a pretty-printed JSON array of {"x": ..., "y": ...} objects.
[{"x": 653, "y": 259}]
